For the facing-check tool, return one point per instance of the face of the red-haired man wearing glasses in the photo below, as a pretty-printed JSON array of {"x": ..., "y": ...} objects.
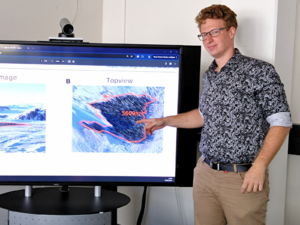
[{"x": 221, "y": 45}]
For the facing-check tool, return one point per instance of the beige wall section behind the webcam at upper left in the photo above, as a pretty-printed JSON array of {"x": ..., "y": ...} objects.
[{"x": 36, "y": 20}]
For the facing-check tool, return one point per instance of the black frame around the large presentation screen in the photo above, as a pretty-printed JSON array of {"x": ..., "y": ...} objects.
[{"x": 188, "y": 99}]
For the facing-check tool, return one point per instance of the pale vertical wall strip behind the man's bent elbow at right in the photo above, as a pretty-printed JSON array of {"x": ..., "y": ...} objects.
[{"x": 283, "y": 62}]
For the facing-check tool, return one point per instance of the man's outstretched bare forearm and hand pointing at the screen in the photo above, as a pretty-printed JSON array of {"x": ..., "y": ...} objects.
[{"x": 191, "y": 119}]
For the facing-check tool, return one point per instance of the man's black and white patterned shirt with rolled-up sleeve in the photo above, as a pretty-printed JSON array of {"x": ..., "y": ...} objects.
[{"x": 237, "y": 105}]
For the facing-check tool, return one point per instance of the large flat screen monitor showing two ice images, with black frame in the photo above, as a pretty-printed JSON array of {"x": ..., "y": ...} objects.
[{"x": 68, "y": 113}]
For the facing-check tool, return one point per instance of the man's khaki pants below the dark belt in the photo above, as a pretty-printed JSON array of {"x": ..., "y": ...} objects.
[{"x": 218, "y": 199}]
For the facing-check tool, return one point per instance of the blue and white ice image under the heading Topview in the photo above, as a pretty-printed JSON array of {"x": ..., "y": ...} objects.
[{"x": 104, "y": 119}]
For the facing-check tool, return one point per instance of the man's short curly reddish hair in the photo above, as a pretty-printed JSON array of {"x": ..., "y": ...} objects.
[{"x": 217, "y": 12}]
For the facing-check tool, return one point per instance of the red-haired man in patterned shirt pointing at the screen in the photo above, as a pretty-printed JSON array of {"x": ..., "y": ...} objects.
[{"x": 245, "y": 119}]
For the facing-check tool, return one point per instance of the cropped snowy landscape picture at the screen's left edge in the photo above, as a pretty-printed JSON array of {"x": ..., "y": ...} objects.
[{"x": 22, "y": 118}]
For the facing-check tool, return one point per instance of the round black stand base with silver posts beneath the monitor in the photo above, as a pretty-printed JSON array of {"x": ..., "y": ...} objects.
[{"x": 50, "y": 204}]
